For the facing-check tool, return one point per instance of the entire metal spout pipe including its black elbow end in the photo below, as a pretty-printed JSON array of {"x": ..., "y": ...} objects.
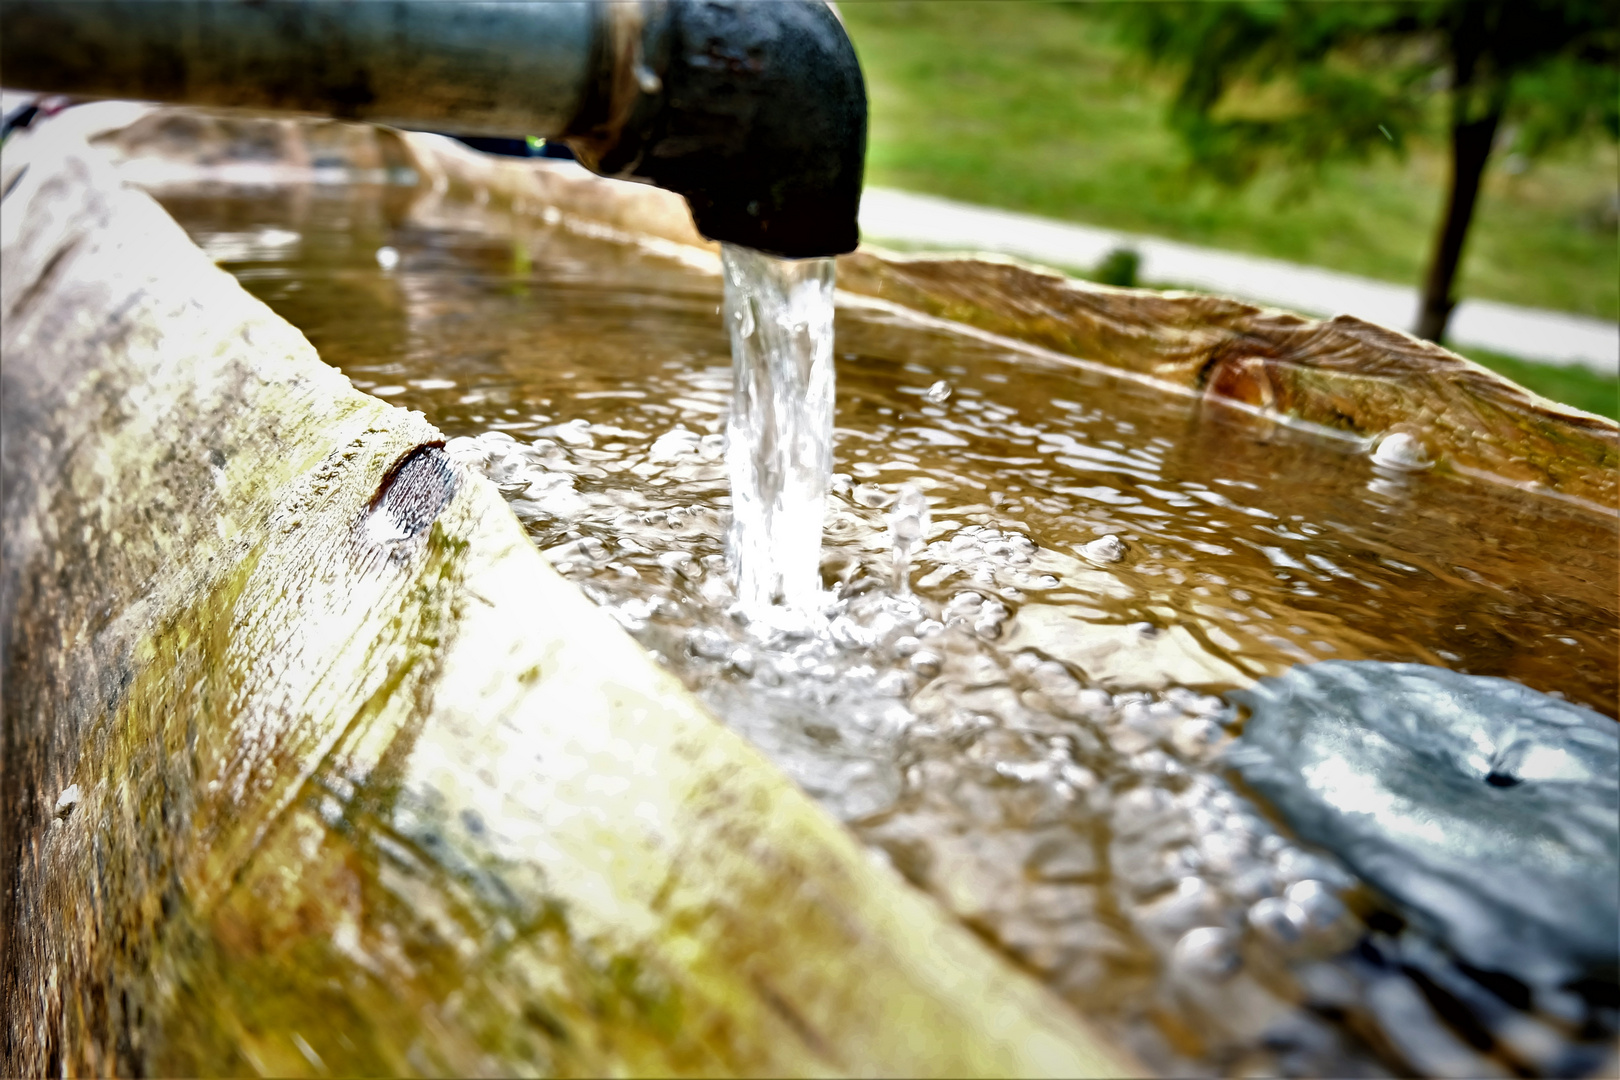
[{"x": 756, "y": 113}]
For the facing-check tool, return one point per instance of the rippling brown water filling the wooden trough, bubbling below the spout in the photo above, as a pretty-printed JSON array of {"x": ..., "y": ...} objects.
[{"x": 1036, "y": 577}]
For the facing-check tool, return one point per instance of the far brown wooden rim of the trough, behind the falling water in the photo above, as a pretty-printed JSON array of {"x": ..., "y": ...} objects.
[{"x": 1342, "y": 373}]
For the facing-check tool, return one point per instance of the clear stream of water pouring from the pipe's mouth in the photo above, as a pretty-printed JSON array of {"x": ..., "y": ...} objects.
[{"x": 780, "y": 432}]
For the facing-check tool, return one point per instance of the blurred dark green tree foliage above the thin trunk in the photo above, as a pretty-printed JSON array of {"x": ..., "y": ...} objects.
[{"x": 1297, "y": 82}]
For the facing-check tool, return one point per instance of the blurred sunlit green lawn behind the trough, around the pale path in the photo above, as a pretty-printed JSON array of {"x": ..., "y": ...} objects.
[{"x": 1034, "y": 106}]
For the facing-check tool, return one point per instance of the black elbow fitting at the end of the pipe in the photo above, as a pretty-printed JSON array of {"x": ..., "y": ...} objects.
[{"x": 752, "y": 111}]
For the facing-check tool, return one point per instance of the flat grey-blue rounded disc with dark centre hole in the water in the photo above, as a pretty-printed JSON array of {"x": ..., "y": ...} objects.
[{"x": 1490, "y": 812}]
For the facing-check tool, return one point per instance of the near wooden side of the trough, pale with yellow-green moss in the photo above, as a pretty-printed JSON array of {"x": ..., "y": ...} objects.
[{"x": 313, "y": 765}]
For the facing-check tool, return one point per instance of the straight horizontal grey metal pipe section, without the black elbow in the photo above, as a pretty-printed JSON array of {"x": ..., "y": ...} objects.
[{"x": 488, "y": 69}]
